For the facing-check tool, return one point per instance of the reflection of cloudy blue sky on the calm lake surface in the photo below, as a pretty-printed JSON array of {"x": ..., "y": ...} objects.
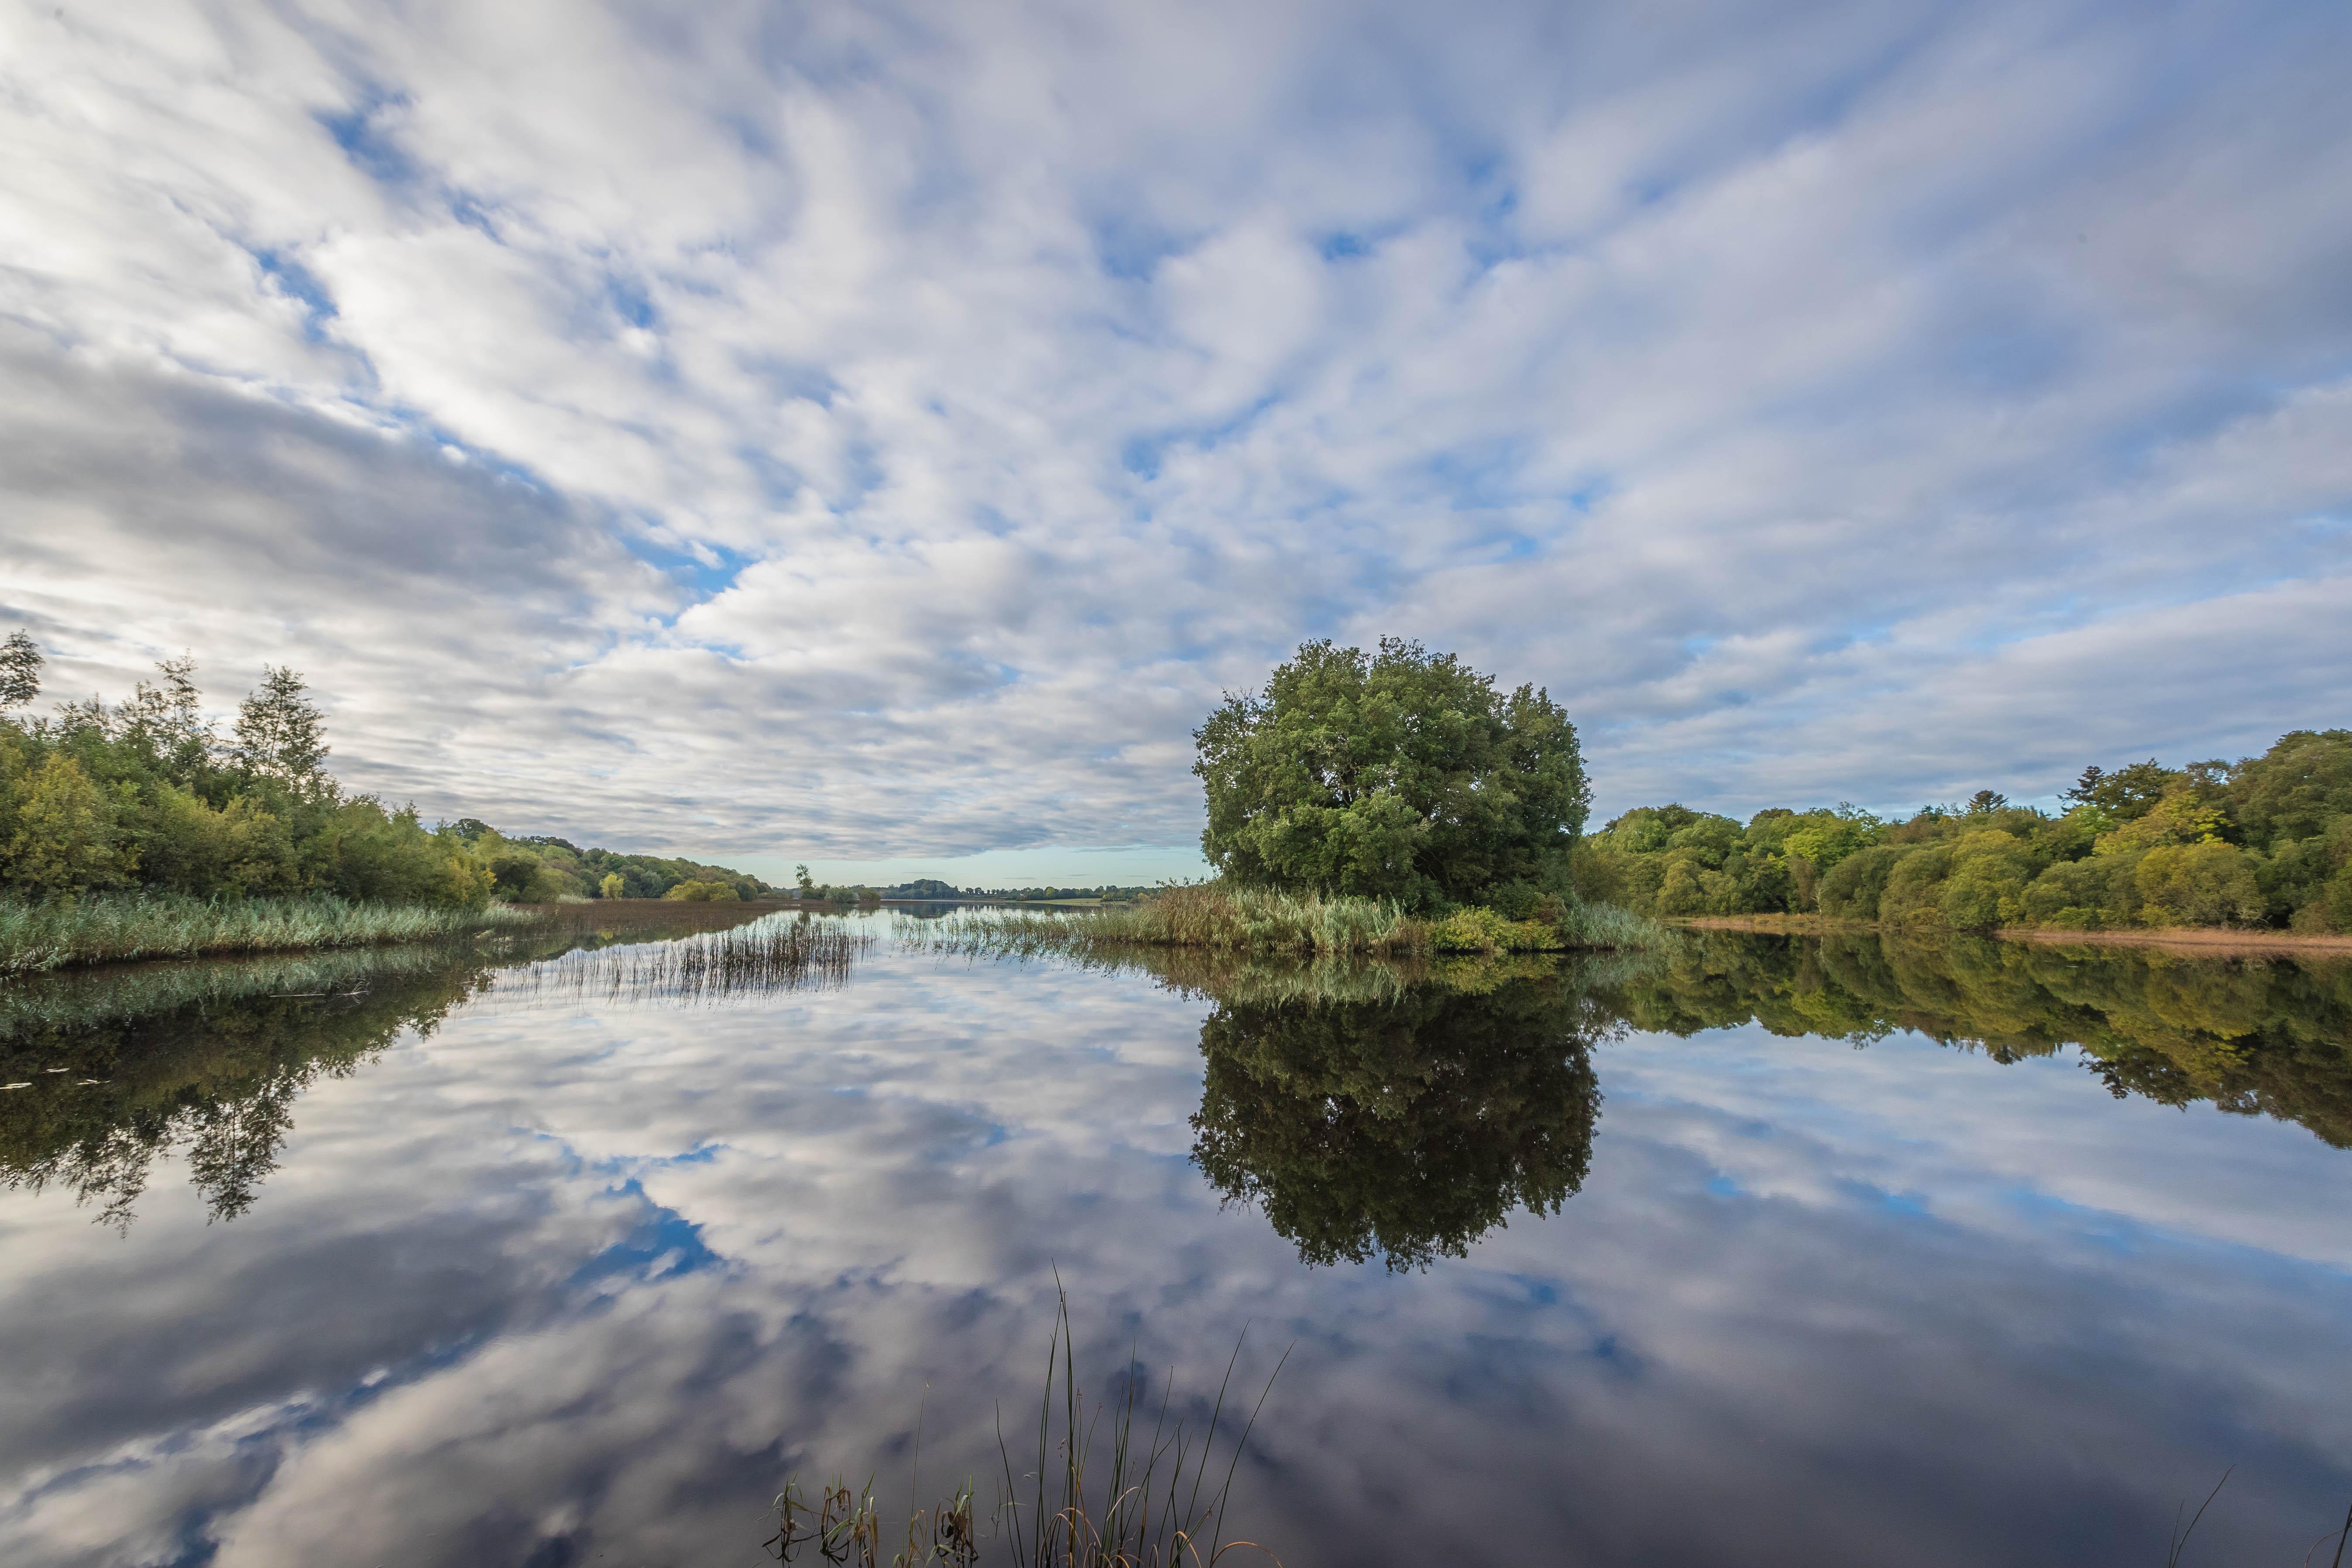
[{"x": 575, "y": 1280}]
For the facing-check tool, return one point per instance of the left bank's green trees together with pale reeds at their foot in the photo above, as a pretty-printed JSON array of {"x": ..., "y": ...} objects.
[{"x": 135, "y": 831}]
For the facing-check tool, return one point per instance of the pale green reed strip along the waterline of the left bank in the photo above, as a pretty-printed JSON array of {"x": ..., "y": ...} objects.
[{"x": 119, "y": 927}]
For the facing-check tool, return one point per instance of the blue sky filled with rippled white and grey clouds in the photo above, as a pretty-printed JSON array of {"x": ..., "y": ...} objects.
[{"x": 876, "y": 436}]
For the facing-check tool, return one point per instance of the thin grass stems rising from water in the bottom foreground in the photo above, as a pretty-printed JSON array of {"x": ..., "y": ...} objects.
[{"x": 1097, "y": 1499}]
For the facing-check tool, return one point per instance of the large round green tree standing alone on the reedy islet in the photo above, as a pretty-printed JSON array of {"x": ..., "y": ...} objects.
[{"x": 1401, "y": 775}]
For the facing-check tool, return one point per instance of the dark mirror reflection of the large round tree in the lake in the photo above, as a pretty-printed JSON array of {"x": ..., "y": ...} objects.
[{"x": 1408, "y": 1127}]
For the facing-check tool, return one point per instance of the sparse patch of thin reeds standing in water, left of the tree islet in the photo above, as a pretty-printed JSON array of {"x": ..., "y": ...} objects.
[{"x": 770, "y": 956}]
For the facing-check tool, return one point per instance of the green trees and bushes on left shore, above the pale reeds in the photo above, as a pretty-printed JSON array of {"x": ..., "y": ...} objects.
[{"x": 149, "y": 796}]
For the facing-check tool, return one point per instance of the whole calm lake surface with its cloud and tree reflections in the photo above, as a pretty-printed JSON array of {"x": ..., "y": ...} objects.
[{"x": 1779, "y": 1254}]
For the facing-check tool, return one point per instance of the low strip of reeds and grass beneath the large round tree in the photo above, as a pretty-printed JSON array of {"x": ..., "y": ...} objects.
[{"x": 1222, "y": 918}]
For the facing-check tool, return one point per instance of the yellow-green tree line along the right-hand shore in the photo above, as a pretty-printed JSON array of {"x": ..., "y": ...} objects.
[{"x": 2254, "y": 843}]
